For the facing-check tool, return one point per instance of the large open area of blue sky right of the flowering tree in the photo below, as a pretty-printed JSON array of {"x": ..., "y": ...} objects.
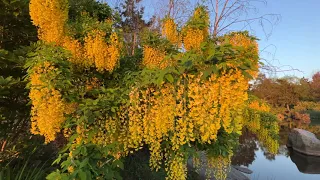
[{"x": 296, "y": 37}]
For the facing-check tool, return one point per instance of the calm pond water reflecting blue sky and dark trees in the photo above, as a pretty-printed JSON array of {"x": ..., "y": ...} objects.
[{"x": 286, "y": 165}]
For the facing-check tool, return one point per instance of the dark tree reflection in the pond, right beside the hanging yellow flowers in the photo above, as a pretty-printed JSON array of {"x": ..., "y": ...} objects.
[{"x": 245, "y": 153}]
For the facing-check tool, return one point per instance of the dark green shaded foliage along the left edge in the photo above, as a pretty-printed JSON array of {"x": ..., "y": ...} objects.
[{"x": 16, "y": 30}]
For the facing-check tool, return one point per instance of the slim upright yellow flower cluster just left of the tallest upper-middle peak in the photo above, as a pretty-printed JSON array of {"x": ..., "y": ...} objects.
[{"x": 169, "y": 30}]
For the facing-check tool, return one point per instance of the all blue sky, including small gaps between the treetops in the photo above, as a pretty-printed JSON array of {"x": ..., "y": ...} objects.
[{"x": 294, "y": 41}]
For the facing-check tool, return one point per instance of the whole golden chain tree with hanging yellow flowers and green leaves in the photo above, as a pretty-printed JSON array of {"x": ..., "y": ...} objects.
[{"x": 183, "y": 96}]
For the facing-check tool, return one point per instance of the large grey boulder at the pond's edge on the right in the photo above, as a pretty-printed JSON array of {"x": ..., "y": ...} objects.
[{"x": 304, "y": 142}]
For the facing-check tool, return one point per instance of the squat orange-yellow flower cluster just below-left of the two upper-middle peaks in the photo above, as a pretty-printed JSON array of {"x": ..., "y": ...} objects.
[{"x": 154, "y": 58}]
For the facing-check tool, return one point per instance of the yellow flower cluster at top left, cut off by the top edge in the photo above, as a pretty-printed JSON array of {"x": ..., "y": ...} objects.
[{"x": 50, "y": 17}]
